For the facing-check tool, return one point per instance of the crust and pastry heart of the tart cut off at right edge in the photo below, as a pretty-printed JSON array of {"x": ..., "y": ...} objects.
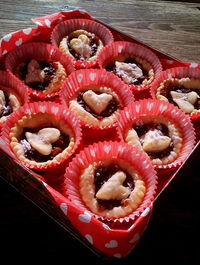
[{"x": 185, "y": 101}]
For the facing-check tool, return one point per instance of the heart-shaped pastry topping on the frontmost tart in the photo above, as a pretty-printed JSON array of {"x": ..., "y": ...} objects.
[{"x": 113, "y": 188}]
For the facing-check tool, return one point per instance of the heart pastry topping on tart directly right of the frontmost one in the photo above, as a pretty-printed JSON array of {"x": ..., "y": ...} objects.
[{"x": 155, "y": 141}]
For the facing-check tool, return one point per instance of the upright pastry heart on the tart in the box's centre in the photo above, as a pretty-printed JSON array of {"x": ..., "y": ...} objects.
[{"x": 97, "y": 103}]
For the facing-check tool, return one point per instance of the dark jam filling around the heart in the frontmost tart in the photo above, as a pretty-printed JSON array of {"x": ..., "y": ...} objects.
[{"x": 101, "y": 175}]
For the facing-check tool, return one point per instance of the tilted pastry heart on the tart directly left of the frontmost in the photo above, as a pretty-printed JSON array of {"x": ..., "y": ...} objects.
[{"x": 43, "y": 139}]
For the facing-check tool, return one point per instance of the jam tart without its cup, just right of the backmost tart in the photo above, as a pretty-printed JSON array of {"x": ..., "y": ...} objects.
[{"x": 133, "y": 71}]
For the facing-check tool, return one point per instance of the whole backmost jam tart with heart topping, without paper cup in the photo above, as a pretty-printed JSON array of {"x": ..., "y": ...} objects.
[{"x": 81, "y": 45}]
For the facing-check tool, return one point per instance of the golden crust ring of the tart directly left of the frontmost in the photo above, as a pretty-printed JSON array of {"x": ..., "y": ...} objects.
[{"x": 37, "y": 121}]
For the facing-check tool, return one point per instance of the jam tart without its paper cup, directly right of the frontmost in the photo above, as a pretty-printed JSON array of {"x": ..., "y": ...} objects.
[{"x": 157, "y": 136}]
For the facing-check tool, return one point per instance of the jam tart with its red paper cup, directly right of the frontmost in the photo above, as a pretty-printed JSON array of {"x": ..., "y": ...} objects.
[{"x": 158, "y": 128}]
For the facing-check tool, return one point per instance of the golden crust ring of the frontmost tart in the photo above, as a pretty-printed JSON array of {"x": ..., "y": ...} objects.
[{"x": 128, "y": 204}]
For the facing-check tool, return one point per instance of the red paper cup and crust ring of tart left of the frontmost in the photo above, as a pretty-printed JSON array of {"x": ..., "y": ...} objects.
[{"x": 47, "y": 114}]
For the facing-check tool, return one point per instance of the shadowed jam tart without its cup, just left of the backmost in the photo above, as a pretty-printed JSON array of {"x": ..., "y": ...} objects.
[{"x": 46, "y": 77}]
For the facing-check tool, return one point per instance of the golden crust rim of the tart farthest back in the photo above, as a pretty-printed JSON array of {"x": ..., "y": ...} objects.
[{"x": 75, "y": 34}]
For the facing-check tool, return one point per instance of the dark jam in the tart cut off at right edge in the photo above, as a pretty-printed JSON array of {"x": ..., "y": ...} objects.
[{"x": 179, "y": 89}]
